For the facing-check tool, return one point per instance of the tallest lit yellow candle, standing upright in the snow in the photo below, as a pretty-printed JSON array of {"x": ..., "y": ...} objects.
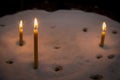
[{"x": 35, "y": 43}]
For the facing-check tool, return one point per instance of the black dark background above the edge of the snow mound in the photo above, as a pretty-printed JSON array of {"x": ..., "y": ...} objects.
[{"x": 108, "y": 8}]
